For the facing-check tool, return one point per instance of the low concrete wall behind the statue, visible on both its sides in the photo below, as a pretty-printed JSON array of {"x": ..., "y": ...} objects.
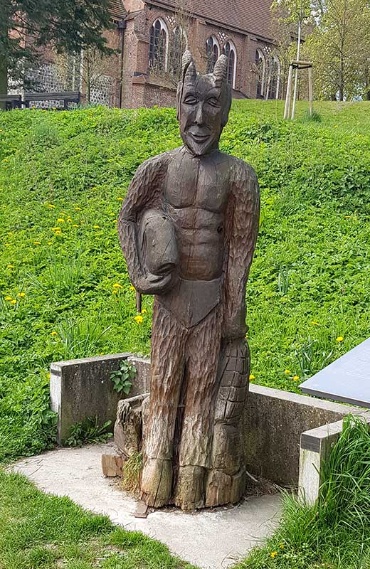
[{"x": 274, "y": 419}]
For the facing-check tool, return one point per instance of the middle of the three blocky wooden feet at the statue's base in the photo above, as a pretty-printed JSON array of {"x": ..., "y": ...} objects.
[{"x": 189, "y": 494}]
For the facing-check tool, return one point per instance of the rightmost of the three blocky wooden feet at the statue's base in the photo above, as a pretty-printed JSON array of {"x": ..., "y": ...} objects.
[{"x": 222, "y": 488}]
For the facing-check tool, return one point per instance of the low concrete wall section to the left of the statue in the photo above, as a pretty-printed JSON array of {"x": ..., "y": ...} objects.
[{"x": 83, "y": 388}]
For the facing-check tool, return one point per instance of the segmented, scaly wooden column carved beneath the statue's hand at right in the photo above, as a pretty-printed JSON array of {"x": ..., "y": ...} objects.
[{"x": 226, "y": 479}]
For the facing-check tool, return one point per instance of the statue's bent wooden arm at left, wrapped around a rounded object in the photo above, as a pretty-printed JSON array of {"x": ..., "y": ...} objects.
[{"x": 144, "y": 192}]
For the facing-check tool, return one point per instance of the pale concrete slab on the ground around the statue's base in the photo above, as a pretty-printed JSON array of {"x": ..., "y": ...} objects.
[{"x": 212, "y": 539}]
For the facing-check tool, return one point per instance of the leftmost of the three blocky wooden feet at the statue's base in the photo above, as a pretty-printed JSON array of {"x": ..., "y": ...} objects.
[{"x": 156, "y": 482}]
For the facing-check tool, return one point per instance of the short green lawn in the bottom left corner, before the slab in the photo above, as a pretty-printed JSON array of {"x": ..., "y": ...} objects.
[{"x": 41, "y": 532}]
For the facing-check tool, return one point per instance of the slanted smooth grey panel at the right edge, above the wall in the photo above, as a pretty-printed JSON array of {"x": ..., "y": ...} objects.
[{"x": 347, "y": 379}]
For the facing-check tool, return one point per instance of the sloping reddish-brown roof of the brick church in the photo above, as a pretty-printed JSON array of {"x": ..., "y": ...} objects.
[{"x": 248, "y": 16}]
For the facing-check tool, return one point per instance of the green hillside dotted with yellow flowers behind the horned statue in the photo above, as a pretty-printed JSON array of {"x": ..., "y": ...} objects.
[{"x": 63, "y": 282}]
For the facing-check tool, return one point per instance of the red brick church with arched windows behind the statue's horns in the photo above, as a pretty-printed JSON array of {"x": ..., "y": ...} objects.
[{"x": 150, "y": 36}]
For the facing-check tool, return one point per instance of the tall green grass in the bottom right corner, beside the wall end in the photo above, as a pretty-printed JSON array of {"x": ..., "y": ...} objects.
[{"x": 335, "y": 533}]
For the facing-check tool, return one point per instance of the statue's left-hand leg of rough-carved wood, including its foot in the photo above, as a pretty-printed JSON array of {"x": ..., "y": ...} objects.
[{"x": 166, "y": 378}]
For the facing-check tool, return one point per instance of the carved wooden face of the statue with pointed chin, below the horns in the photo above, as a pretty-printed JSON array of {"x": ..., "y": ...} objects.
[{"x": 201, "y": 114}]
